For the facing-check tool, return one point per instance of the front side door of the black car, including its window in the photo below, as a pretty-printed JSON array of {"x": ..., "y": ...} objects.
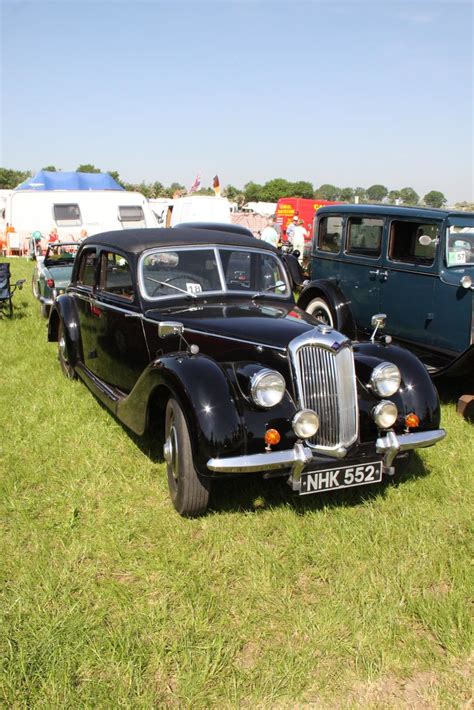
[{"x": 121, "y": 352}]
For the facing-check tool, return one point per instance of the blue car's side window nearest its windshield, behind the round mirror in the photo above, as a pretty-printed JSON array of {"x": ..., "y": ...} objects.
[{"x": 405, "y": 243}]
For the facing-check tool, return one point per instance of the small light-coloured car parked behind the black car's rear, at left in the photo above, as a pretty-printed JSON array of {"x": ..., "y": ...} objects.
[{"x": 52, "y": 273}]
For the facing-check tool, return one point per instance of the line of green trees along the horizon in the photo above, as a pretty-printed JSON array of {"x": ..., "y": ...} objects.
[{"x": 270, "y": 191}]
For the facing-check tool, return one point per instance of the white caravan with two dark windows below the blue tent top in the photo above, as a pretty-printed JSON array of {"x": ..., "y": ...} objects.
[{"x": 74, "y": 213}]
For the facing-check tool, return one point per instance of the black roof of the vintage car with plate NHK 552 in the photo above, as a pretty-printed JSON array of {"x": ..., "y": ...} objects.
[{"x": 136, "y": 241}]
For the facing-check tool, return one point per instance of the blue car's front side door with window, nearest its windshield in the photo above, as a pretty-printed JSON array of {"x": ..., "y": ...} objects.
[{"x": 408, "y": 278}]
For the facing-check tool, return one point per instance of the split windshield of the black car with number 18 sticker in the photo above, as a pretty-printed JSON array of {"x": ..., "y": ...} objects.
[{"x": 193, "y": 271}]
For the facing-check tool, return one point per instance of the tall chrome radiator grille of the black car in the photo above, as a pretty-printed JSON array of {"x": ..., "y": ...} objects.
[{"x": 326, "y": 383}]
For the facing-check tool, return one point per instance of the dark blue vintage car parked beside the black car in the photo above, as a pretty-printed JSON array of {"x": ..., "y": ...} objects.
[{"x": 416, "y": 265}]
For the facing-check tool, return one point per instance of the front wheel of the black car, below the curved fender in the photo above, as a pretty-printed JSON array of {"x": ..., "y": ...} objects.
[{"x": 189, "y": 492}]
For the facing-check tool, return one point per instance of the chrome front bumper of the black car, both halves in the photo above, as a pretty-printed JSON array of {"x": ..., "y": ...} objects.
[{"x": 300, "y": 455}]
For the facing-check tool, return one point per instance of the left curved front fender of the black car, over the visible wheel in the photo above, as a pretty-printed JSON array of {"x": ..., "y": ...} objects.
[{"x": 206, "y": 397}]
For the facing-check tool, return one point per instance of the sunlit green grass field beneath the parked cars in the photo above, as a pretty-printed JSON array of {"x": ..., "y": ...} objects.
[{"x": 110, "y": 599}]
